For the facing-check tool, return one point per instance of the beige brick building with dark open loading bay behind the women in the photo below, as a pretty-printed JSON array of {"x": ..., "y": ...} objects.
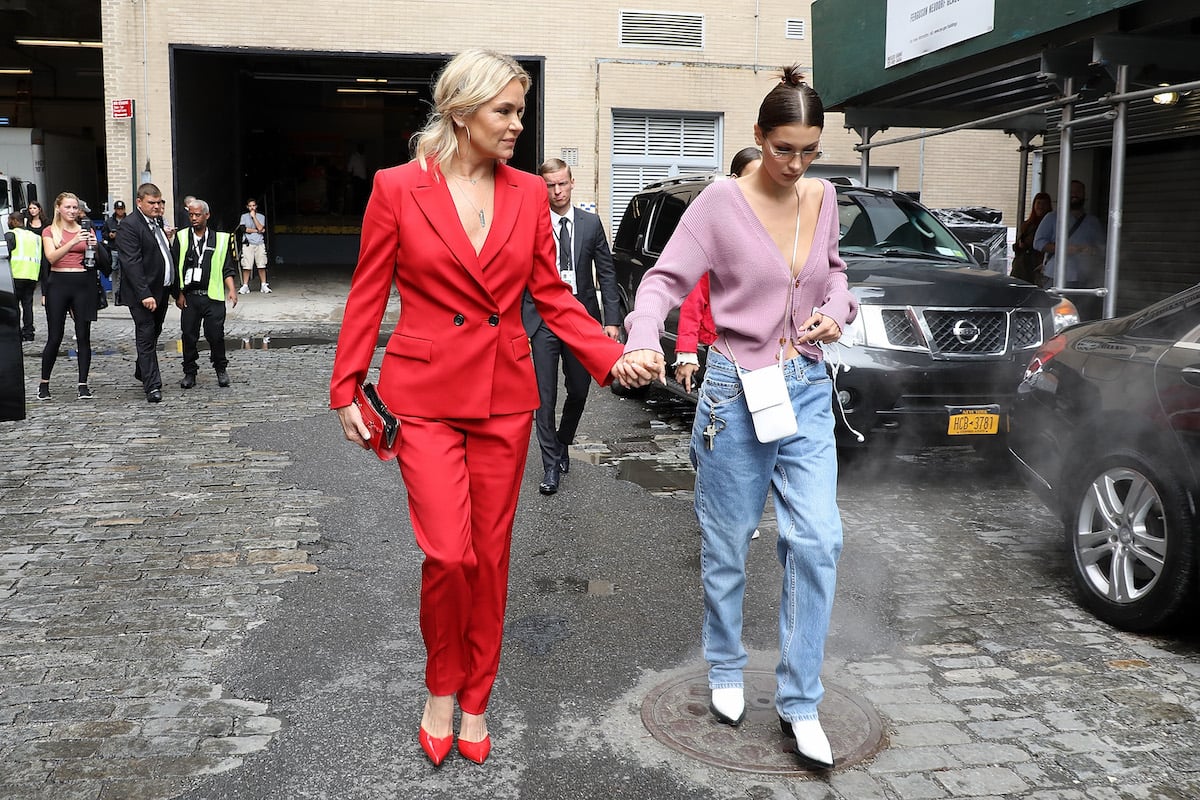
[{"x": 269, "y": 100}]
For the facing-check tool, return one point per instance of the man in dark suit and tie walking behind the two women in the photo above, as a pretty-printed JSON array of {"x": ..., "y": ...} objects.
[{"x": 581, "y": 246}]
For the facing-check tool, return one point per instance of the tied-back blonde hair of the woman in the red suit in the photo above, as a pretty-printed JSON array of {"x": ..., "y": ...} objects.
[{"x": 469, "y": 81}]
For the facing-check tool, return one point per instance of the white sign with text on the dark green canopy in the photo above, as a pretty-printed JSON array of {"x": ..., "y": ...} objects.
[{"x": 920, "y": 27}]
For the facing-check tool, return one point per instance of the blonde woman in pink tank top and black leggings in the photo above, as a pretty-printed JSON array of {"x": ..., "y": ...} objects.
[{"x": 68, "y": 288}]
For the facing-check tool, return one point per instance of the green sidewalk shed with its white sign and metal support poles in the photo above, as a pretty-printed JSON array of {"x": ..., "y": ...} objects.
[{"x": 1075, "y": 70}]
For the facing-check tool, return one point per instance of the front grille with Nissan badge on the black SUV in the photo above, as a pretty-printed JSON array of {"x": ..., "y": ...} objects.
[{"x": 964, "y": 333}]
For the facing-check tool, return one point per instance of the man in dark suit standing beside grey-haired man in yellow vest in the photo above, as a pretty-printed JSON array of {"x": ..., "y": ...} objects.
[{"x": 145, "y": 249}]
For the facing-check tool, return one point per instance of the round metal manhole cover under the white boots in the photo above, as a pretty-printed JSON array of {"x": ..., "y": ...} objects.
[{"x": 677, "y": 715}]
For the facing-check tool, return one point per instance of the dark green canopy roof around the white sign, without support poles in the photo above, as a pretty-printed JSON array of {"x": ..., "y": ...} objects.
[{"x": 1016, "y": 67}]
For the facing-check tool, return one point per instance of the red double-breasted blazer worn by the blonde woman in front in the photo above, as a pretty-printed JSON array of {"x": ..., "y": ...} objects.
[{"x": 460, "y": 348}]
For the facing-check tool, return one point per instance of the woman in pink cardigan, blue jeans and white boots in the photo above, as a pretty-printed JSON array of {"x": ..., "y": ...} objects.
[{"x": 769, "y": 243}]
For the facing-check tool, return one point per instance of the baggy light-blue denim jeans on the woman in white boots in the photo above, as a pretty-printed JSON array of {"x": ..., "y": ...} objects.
[{"x": 733, "y": 482}]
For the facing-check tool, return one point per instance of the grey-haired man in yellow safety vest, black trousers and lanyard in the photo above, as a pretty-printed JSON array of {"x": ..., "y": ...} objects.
[{"x": 207, "y": 272}]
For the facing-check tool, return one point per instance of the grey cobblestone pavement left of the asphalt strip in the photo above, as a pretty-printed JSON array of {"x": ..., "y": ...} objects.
[{"x": 139, "y": 545}]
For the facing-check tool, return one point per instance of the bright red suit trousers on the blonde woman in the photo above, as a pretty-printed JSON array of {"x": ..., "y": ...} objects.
[{"x": 464, "y": 478}]
